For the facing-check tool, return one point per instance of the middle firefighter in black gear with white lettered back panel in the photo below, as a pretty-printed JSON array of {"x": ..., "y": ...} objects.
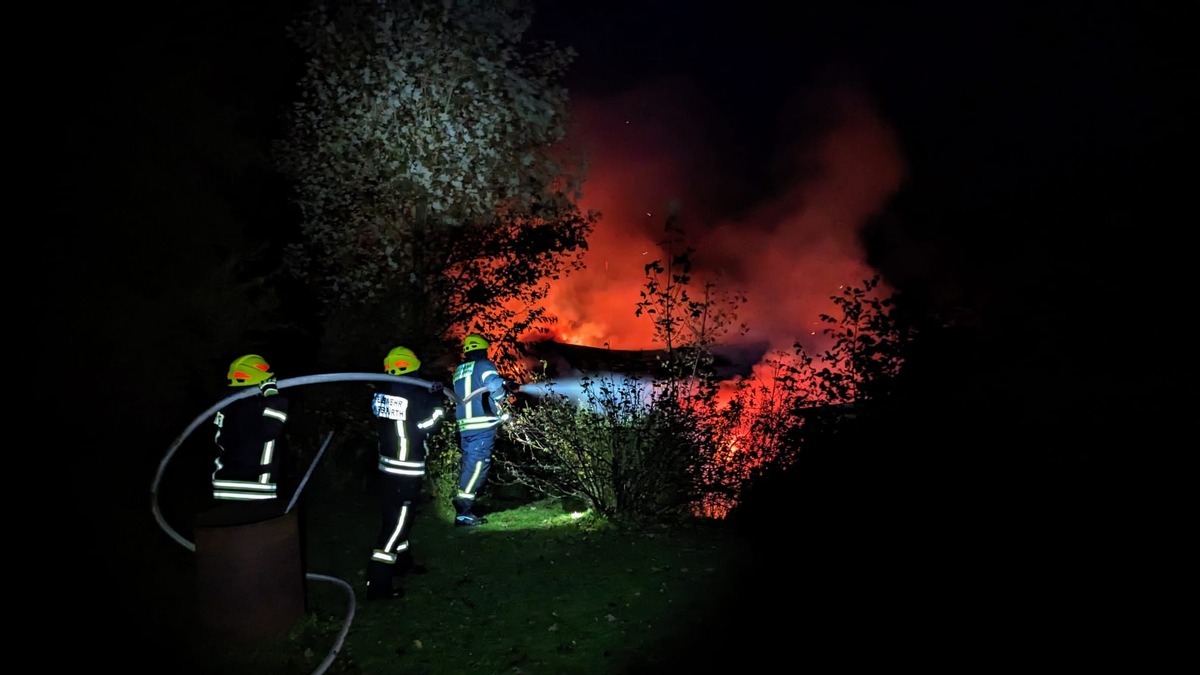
[{"x": 409, "y": 415}]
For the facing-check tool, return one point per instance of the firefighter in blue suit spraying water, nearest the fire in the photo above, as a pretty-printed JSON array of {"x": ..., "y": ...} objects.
[{"x": 477, "y": 422}]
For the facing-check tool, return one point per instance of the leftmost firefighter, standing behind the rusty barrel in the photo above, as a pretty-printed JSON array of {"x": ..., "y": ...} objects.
[{"x": 250, "y": 437}]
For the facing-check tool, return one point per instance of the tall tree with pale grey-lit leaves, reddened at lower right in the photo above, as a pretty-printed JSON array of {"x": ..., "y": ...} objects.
[{"x": 429, "y": 163}]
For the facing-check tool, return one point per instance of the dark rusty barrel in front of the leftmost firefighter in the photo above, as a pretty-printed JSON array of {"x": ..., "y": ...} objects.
[{"x": 250, "y": 574}]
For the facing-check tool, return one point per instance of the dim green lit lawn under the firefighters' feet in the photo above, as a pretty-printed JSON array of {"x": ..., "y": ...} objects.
[{"x": 542, "y": 589}]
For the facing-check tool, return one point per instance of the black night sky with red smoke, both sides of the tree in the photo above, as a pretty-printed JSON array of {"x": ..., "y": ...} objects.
[{"x": 991, "y": 151}]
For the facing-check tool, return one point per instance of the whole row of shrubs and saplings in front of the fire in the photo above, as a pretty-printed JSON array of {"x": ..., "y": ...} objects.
[{"x": 687, "y": 444}]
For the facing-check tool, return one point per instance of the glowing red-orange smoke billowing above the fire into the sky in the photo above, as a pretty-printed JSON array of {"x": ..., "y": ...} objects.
[{"x": 789, "y": 254}]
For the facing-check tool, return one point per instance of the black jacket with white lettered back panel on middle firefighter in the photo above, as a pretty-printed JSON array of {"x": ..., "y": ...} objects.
[{"x": 409, "y": 415}]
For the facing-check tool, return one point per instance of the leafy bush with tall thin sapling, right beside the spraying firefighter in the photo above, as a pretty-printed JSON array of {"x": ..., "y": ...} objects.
[{"x": 638, "y": 451}]
